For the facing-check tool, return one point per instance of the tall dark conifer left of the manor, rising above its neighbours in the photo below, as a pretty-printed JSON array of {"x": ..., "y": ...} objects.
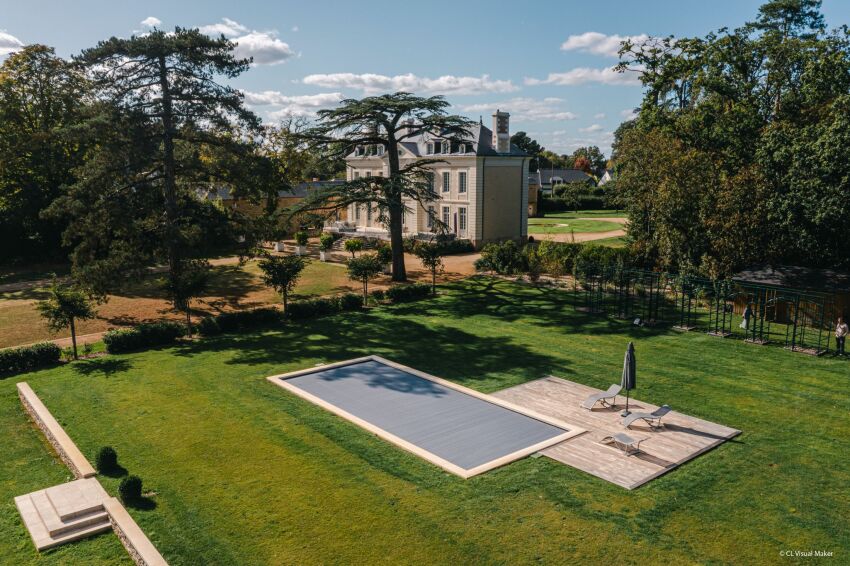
[{"x": 165, "y": 128}]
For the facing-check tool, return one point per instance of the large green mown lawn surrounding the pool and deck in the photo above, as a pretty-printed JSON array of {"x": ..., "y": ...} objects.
[{"x": 245, "y": 473}]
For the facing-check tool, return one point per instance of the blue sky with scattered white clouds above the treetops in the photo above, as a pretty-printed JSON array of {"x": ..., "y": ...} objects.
[{"x": 545, "y": 62}]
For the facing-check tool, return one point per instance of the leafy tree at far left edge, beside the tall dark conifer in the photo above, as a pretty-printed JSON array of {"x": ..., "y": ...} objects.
[{"x": 42, "y": 97}]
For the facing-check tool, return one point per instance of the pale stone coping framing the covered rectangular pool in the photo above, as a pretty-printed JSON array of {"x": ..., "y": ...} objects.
[{"x": 570, "y": 431}]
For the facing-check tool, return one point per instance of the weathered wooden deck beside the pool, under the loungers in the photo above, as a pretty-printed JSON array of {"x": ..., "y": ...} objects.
[{"x": 682, "y": 438}]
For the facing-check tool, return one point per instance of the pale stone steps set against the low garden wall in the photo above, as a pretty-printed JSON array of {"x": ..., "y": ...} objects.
[{"x": 64, "y": 513}]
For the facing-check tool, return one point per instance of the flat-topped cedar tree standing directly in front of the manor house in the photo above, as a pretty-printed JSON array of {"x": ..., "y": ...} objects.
[{"x": 386, "y": 120}]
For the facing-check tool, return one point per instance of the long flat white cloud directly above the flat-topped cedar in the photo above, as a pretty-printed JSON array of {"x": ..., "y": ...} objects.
[{"x": 373, "y": 83}]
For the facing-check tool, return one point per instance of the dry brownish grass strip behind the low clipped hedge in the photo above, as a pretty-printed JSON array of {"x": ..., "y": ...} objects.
[{"x": 231, "y": 287}]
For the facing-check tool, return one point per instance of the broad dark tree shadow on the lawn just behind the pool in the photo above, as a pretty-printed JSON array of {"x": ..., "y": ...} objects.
[{"x": 445, "y": 352}]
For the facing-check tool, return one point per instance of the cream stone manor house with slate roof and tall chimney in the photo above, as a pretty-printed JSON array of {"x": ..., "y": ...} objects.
[{"x": 482, "y": 185}]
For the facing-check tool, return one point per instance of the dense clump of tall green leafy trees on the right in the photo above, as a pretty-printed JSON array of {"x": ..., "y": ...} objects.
[{"x": 740, "y": 152}]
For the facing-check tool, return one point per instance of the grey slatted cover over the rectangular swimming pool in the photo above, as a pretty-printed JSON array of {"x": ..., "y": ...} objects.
[{"x": 465, "y": 430}]
